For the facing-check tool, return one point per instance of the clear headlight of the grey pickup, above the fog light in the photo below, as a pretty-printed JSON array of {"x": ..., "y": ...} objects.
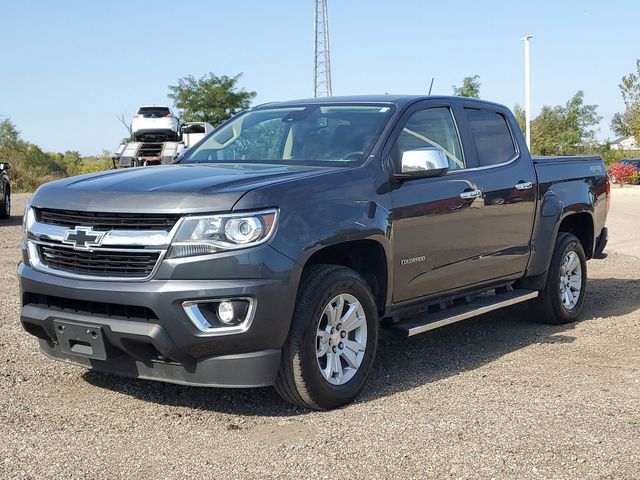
[{"x": 217, "y": 233}]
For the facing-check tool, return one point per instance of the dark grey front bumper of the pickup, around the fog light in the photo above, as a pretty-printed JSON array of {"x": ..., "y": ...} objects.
[{"x": 167, "y": 346}]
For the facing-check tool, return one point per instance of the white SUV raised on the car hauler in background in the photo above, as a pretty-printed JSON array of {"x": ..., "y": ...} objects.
[{"x": 155, "y": 123}]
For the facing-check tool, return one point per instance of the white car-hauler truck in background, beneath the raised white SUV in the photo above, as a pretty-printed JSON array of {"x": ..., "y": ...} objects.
[{"x": 145, "y": 153}]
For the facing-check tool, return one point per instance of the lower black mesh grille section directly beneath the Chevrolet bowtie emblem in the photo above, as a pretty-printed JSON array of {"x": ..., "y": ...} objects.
[{"x": 116, "y": 263}]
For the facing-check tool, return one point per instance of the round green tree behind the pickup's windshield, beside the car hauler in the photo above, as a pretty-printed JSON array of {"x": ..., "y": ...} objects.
[{"x": 210, "y": 99}]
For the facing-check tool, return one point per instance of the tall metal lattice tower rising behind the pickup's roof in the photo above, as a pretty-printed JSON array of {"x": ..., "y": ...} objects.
[{"x": 321, "y": 52}]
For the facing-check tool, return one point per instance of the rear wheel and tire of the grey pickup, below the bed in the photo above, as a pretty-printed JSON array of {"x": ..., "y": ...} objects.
[{"x": 550, "y": 306}]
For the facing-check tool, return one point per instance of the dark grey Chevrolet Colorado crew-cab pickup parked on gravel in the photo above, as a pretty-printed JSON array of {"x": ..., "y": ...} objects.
[{"x": 271, "y": 253}]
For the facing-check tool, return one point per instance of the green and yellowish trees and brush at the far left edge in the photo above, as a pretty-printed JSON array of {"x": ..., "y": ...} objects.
[{"x": 31, "y": 167}]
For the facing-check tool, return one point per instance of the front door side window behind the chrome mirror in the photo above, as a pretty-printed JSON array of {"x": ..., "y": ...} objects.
[{"x": 432, "y": 127}]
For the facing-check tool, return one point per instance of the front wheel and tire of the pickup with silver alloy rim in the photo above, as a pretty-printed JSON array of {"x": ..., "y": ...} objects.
[{"x": 306, "y": 377}]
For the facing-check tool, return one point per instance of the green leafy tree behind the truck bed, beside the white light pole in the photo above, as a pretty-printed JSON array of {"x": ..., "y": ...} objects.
[{"x": 565, "y": 130}]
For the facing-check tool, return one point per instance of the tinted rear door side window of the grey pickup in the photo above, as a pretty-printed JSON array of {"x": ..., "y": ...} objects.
[{"x": 492, "y": 136}]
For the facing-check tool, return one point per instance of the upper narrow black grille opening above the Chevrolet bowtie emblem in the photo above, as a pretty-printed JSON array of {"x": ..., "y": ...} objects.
[{"x": 107, "y": 221}]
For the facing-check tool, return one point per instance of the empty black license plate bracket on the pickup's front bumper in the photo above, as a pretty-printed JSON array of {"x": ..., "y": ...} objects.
[{"x": 80, "y": 339}]
